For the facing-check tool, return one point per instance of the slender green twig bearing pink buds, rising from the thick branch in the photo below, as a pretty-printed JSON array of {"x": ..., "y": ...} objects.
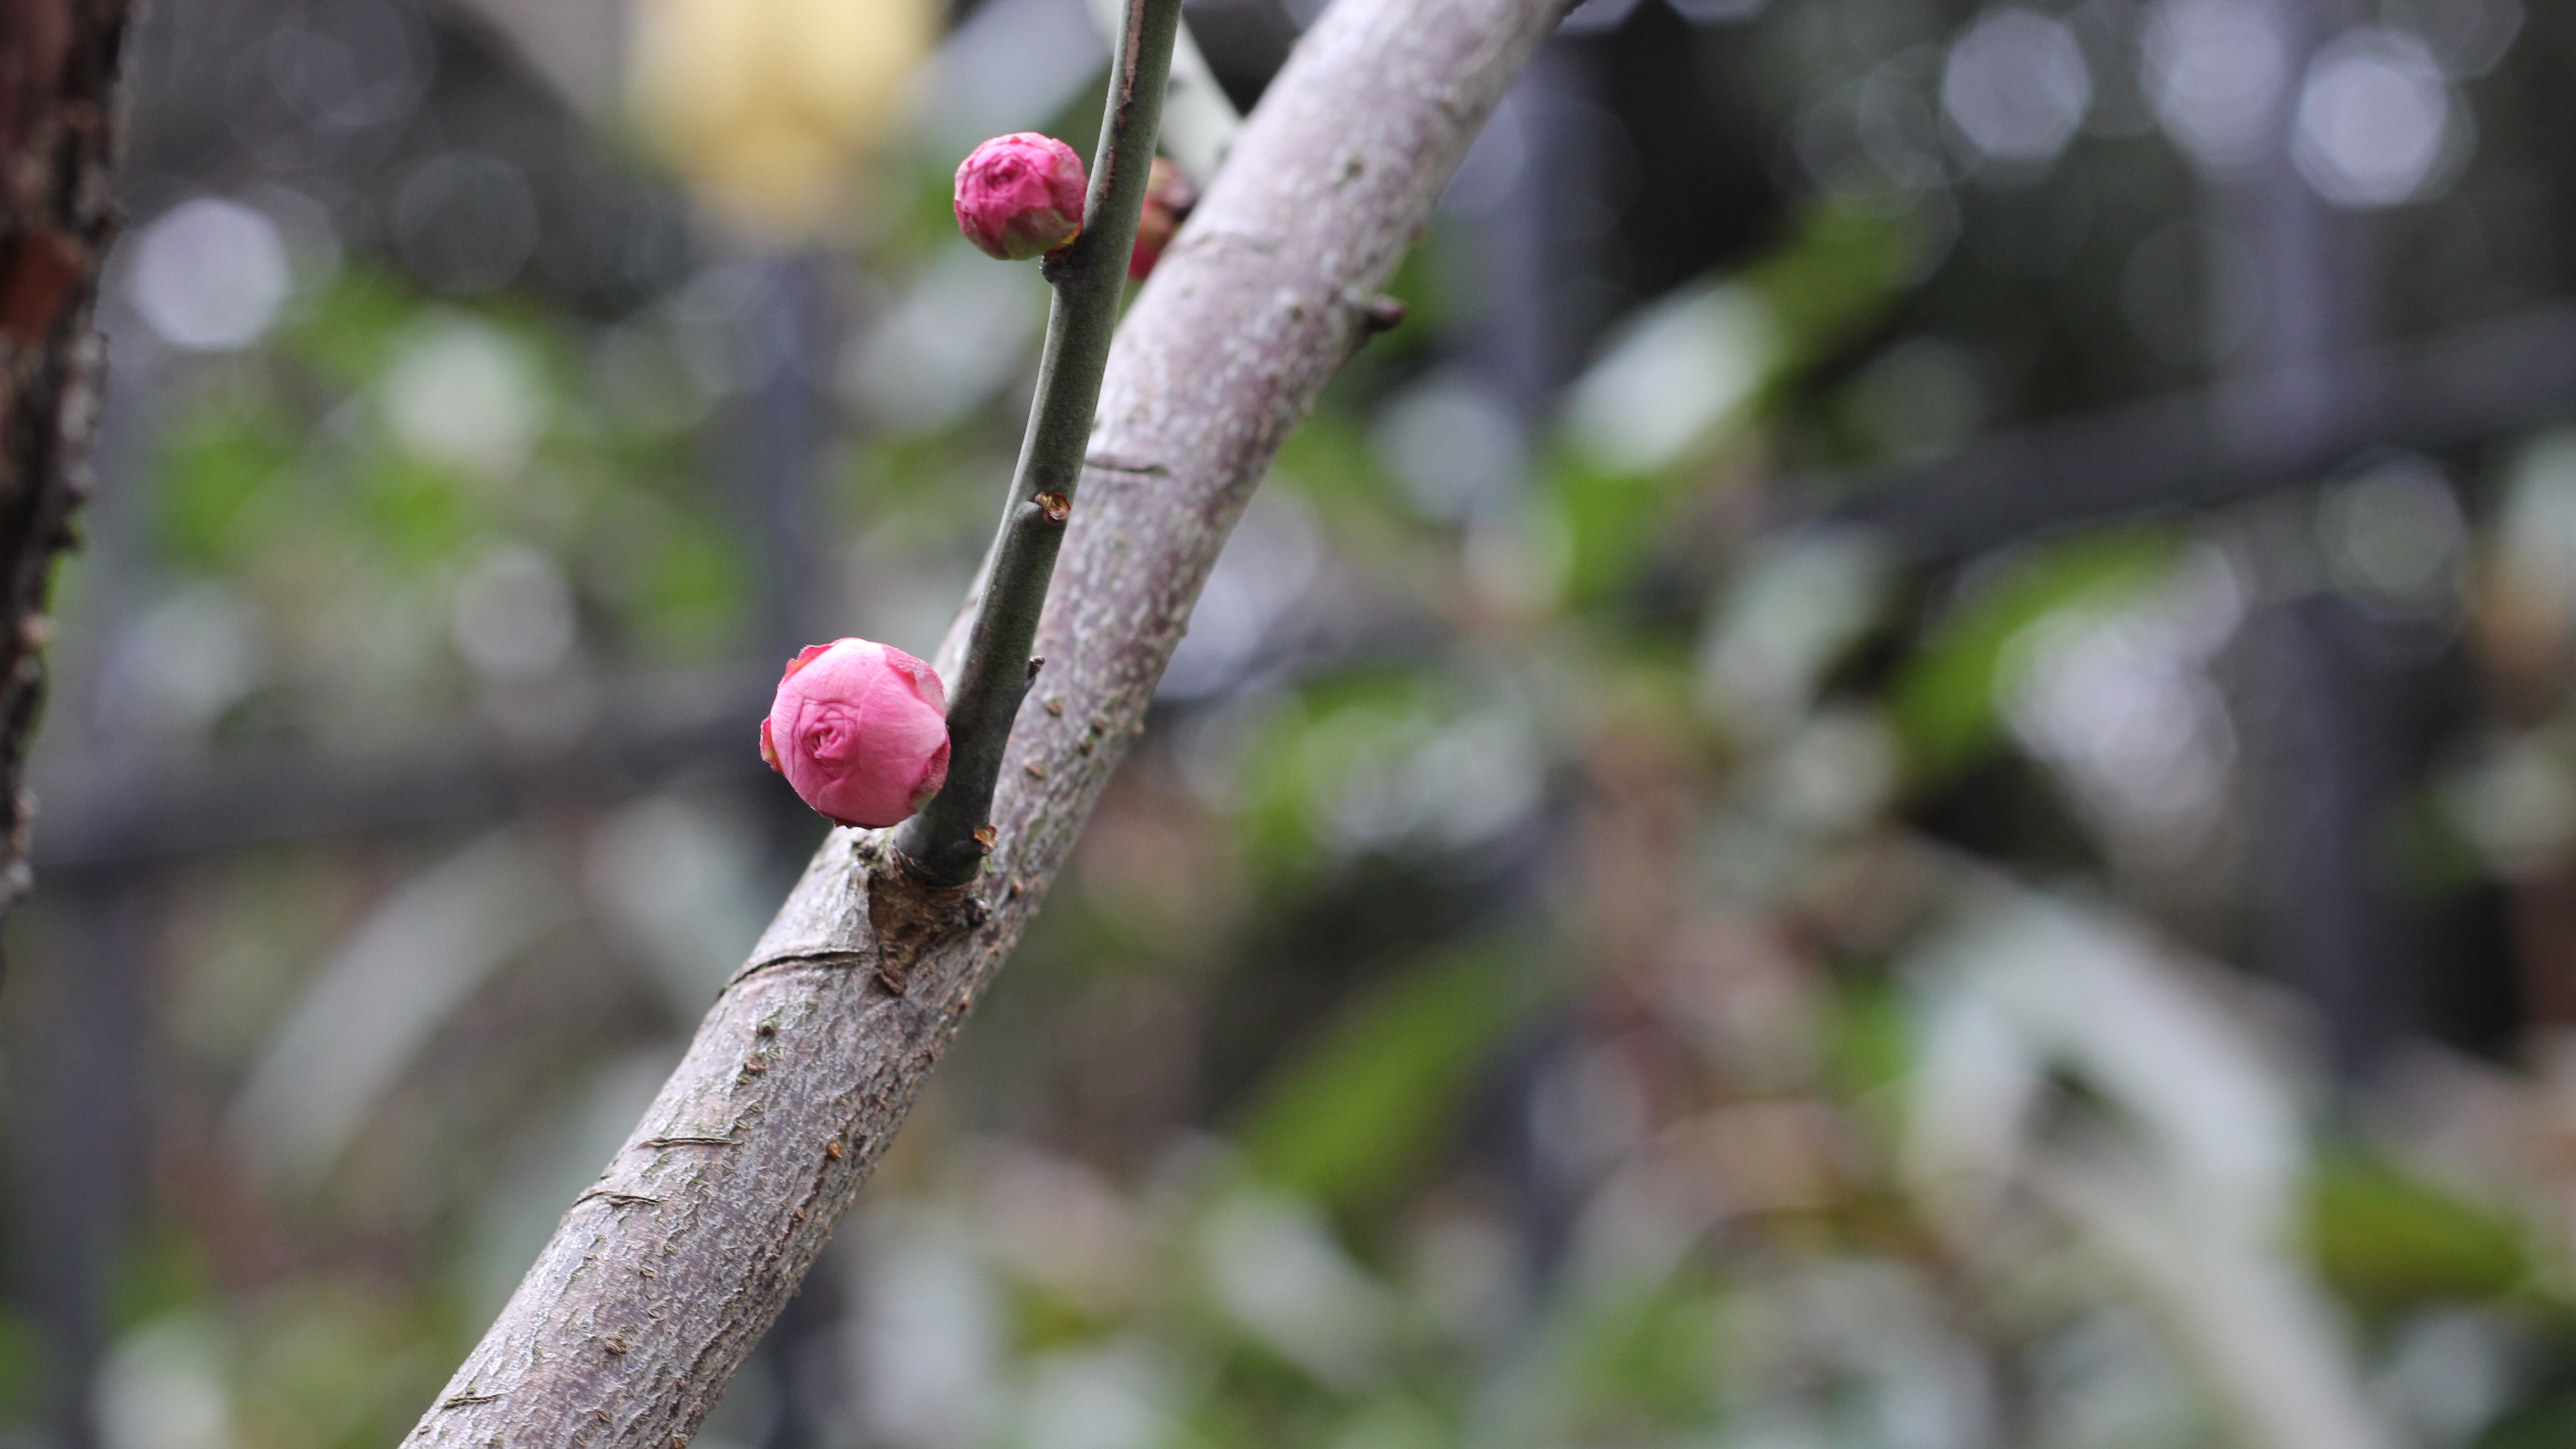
[{"x": 949, "y": 839}]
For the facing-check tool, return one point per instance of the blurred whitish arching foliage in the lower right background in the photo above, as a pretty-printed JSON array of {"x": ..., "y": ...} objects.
[{"x": 2183, "y": 1174}]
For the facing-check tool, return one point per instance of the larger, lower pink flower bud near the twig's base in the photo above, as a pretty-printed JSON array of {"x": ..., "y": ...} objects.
[{"x": 862, "y": 731}]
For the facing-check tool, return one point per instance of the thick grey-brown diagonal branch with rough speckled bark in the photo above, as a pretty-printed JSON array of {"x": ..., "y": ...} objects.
[{"x": 679, "y": 1259}]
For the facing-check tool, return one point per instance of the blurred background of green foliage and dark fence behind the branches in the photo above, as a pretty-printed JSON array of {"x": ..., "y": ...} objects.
[{"x": 1902, "y": 777}]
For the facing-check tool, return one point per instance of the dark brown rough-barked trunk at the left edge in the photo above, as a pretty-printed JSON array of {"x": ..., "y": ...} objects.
[{"x": 58, "y": 84}]
